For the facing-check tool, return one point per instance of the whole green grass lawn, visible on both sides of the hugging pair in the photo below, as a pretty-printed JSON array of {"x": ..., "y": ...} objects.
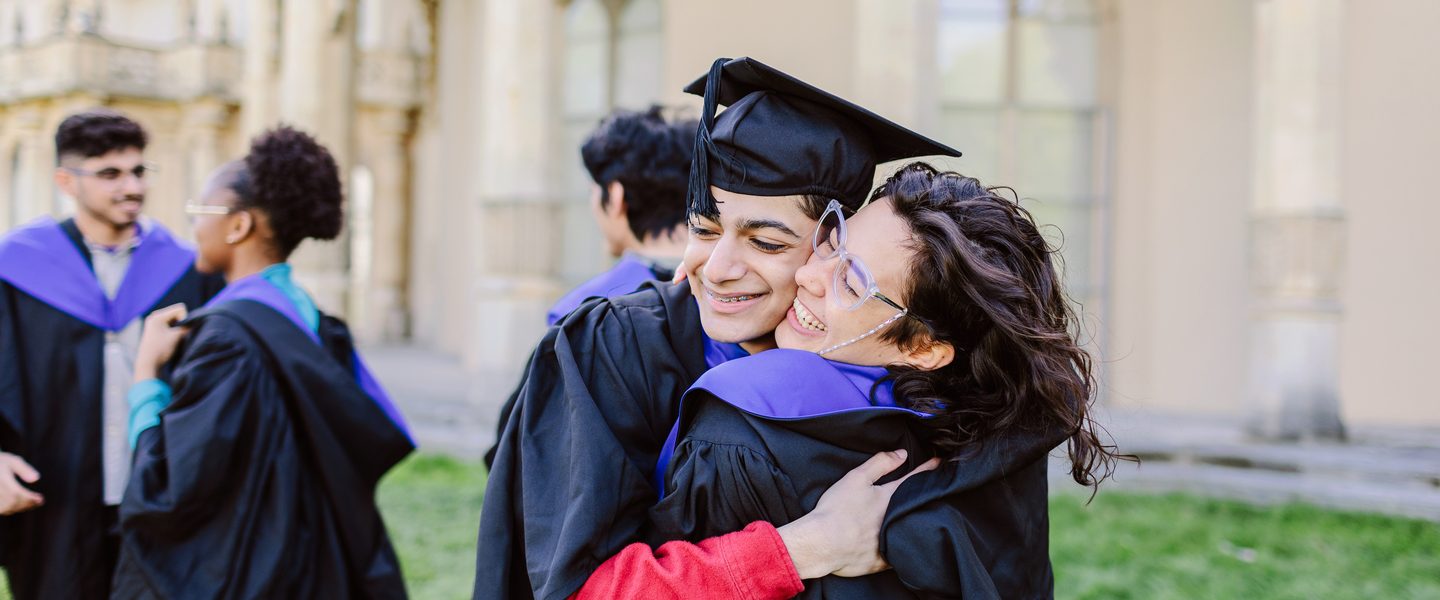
[{"x": 1121, "y": 546}]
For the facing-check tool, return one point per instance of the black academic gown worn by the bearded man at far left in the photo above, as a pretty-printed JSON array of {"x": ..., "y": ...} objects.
[{"x": 51, "y": 394}]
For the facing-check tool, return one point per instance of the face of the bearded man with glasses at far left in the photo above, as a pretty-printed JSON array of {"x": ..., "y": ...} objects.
[{"x": 109, "y": 189}]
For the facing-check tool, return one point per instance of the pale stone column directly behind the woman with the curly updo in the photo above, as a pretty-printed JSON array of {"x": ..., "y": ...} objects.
[{"x": 318, "y": 94}]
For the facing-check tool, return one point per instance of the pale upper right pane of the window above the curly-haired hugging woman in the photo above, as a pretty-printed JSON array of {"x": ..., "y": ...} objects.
[{"x": 1058, "y": 64}]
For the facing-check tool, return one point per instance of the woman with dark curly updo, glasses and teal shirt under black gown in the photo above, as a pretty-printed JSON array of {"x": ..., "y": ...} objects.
[{"x": 260, "y": 435}]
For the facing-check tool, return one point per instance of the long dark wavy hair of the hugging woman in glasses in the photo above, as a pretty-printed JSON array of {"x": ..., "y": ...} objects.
[{"x": 984, "y": 280}]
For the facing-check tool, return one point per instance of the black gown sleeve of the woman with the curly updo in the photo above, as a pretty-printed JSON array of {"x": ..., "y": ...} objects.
[{"x": 188, "y": 461}]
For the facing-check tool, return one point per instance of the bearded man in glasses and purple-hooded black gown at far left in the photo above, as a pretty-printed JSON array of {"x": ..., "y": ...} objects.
[{"x": 73, "y": 299}]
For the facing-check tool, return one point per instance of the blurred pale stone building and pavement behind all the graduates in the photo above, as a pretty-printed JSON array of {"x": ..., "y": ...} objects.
[{"x": 1242, "y": 188}]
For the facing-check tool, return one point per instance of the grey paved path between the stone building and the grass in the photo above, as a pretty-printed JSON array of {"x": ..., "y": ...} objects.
[{"x": 1395, "y": 471}]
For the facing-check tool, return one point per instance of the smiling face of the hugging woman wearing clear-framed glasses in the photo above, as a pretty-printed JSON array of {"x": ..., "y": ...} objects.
[{"x": 820, "y": 317}]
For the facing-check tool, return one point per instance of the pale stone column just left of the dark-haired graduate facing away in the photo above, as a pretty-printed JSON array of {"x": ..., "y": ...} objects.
[{"x": 516, "y": 185}]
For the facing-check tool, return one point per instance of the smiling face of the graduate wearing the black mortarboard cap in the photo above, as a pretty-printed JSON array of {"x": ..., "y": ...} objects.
[{"x": 742, "y": 265}]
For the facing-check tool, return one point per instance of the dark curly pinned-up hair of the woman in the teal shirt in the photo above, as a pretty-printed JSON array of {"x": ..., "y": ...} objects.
[{"x": 294, "y": 182}]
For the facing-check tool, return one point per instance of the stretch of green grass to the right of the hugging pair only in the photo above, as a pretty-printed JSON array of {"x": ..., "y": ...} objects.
[{"x": 1127, "y": 546}]
